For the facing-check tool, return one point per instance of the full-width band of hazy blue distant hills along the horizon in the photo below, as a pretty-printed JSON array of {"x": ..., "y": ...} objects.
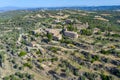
[{"x": 57, "y": 8}]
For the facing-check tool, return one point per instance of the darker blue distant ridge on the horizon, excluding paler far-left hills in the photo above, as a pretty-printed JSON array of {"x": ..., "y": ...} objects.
[{"x": 88, "y": 8}]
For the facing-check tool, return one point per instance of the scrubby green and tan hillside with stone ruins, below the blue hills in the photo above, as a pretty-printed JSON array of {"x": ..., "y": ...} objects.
[{"x": 63, "y": 44}]
